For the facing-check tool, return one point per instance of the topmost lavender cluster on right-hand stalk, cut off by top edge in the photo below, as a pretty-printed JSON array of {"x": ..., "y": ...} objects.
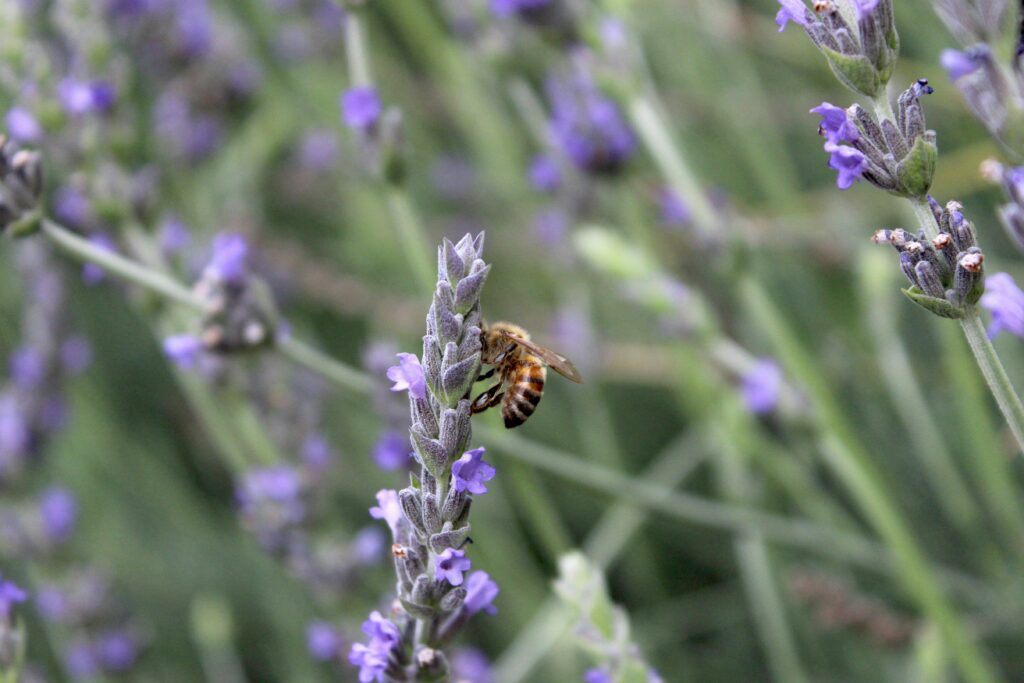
[{"x": 863, "y": 57}]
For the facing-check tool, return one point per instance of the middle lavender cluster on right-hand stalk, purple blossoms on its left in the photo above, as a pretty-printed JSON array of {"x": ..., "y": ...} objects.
[{"x": 897, "y": 156}]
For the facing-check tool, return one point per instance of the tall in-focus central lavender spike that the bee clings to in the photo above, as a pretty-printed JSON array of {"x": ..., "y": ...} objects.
[{"x": 430, "y": 520}]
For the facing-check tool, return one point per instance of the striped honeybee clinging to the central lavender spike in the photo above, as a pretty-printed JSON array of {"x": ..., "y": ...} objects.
[{"x": 523, "y": 368}]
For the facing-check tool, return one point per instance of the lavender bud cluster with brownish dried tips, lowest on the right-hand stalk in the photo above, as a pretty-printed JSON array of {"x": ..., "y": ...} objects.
[{"x": 947, "y": 272}]
